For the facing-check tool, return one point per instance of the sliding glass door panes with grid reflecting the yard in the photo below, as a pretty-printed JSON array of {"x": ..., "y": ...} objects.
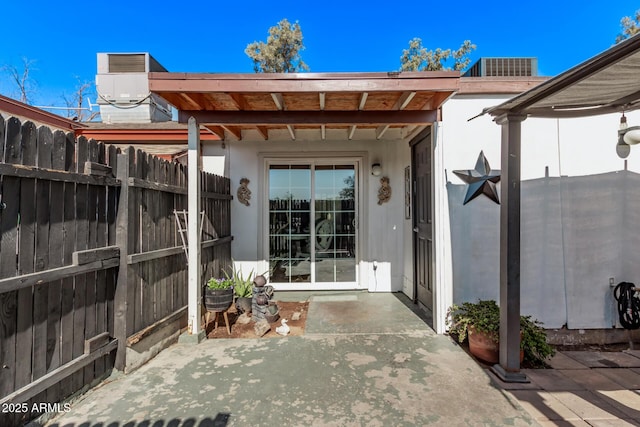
[{"x": 312, "y": 223}]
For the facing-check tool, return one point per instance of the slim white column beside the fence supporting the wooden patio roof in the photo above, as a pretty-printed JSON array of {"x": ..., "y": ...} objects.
[{"x": 195, "y": 269}]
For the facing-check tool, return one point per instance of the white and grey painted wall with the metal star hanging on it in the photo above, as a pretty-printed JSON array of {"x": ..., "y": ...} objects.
[{"x": 577, "y": 205}]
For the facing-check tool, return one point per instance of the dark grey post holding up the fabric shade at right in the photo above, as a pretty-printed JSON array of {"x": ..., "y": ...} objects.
[{"x": 509, "y": 367}]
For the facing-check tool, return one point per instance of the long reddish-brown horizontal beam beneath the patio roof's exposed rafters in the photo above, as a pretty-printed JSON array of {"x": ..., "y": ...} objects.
[{"x": 344, "y": 118}]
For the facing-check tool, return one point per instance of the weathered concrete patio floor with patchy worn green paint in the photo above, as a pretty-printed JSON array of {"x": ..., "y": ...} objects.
[{"x": 364, "y": 360}]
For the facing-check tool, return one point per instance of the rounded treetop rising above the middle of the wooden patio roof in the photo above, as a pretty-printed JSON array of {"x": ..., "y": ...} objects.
[{"x": 281, "y": 52}]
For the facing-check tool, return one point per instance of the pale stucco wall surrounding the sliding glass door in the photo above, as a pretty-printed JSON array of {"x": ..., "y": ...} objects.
[{"x": 382, "y": 232}]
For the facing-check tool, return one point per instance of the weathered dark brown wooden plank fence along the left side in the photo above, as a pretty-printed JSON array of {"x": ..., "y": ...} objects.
[{"x": 90, "y": 258}]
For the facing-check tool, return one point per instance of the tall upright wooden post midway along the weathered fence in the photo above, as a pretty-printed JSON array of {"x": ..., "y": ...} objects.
[{"x": 122, "y": 291}]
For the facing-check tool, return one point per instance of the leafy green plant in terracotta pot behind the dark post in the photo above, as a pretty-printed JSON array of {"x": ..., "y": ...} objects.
[{"x": 479, "y": 324}]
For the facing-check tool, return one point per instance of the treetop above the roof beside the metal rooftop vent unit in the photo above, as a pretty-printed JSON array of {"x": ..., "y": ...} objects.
[{"x": 418, "y": 58}]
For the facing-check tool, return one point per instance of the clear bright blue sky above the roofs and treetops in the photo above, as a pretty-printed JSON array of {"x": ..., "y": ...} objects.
[{"x": 62, "y": 38}]
